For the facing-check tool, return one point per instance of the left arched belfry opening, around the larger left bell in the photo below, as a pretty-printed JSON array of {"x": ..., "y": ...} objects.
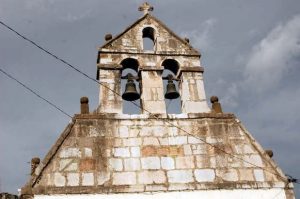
[{"x": 130, "y": 65}]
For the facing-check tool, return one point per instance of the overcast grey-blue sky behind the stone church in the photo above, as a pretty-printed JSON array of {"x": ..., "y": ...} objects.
[{"x": 250, "y": 52}]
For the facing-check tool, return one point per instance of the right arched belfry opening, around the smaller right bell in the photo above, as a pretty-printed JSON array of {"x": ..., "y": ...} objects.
[{"x": 171, "y": 67}]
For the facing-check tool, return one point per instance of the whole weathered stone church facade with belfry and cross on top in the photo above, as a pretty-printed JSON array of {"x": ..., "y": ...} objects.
[{"x": 198, "y": 153}]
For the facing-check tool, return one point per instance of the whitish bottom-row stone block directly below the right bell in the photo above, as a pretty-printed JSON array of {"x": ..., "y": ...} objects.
[{"x": 180, "y": 176}]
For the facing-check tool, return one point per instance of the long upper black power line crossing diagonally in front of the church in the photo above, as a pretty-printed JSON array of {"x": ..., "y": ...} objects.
[{"x": 107, "y": 87}]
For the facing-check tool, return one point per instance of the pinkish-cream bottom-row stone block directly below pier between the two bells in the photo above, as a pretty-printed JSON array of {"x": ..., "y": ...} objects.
[{"x": 151, "y": 177}]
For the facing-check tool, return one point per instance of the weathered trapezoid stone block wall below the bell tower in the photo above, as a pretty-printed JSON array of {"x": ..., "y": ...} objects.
[{"x": 138, "y": 155}]
